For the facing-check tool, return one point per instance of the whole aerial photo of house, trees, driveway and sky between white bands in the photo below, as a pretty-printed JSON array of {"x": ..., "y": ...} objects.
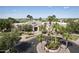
[{"x": 39, "y": 29}]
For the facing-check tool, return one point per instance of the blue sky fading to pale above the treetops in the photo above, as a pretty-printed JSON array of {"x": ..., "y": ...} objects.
[{"x": 39, "y": 11}]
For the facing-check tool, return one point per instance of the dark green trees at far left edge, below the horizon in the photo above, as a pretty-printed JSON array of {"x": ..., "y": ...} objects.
[{"x": 6, "y": 24}]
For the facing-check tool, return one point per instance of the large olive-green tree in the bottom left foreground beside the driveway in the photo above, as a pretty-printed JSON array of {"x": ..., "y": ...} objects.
[{"x": 8, "y": 41}]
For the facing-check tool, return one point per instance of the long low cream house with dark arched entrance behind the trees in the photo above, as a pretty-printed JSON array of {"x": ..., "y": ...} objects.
[{"x": 36, "y": 24}]
